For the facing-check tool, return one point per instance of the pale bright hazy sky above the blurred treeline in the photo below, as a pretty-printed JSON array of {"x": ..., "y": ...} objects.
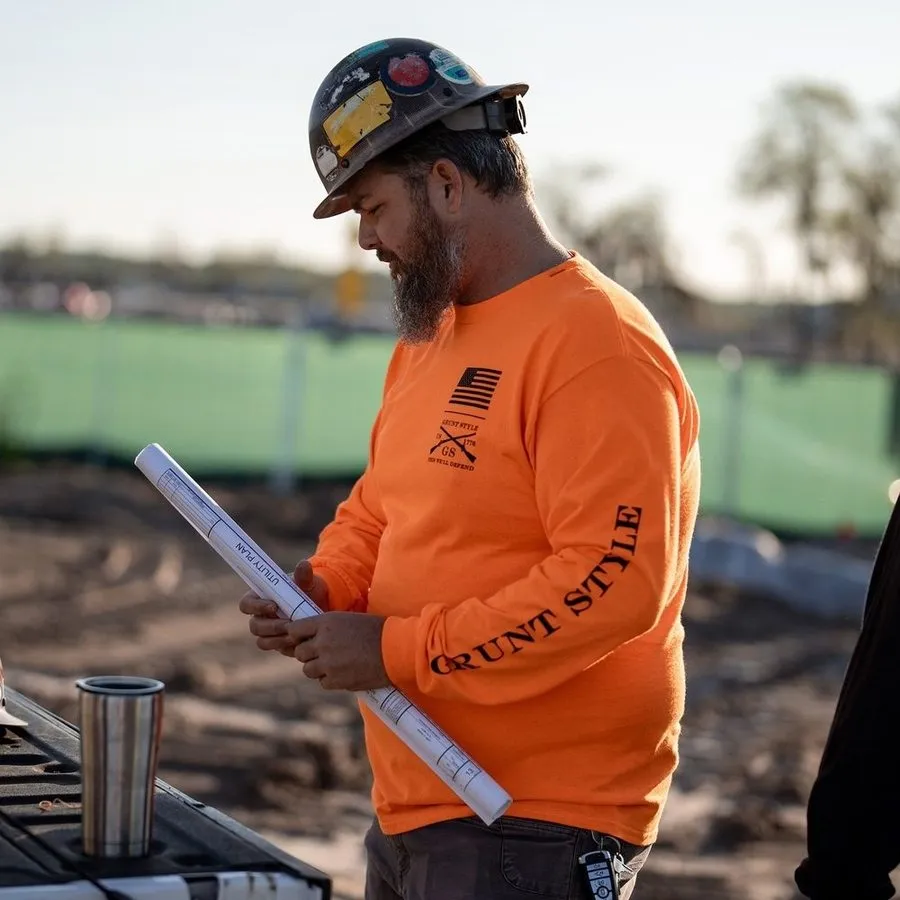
[{"x": 149, "y": 123}]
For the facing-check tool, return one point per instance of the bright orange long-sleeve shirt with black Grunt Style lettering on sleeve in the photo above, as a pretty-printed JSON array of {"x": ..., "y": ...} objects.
[{"x": 524, "y": 523}]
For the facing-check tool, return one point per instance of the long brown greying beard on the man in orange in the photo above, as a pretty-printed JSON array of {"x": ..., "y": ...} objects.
[{"x": 428, "y": 280}]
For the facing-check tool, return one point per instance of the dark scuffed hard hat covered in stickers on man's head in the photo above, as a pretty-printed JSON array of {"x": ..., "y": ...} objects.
[{"x": 386, "y": 91}]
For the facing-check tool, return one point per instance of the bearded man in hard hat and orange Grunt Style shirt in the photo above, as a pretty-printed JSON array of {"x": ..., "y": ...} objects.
[{"x": 514, "y": 557}]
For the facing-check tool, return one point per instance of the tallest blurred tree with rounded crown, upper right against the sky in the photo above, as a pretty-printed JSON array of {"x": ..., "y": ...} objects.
[{"x": 800, "y": 154}]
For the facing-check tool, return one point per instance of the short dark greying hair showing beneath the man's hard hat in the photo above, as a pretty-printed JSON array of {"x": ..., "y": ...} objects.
[{"x": 494, "y": 161}]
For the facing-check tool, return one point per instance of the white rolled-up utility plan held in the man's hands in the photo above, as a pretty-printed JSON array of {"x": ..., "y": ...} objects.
[{"x": 442, "y": 755}]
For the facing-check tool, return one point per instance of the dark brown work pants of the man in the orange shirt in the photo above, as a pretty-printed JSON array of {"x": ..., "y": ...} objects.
[{"x": 464, "y": 859}]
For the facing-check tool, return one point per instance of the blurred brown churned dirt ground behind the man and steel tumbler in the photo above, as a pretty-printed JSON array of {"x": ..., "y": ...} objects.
[{"x": 99, "y": 575}]
